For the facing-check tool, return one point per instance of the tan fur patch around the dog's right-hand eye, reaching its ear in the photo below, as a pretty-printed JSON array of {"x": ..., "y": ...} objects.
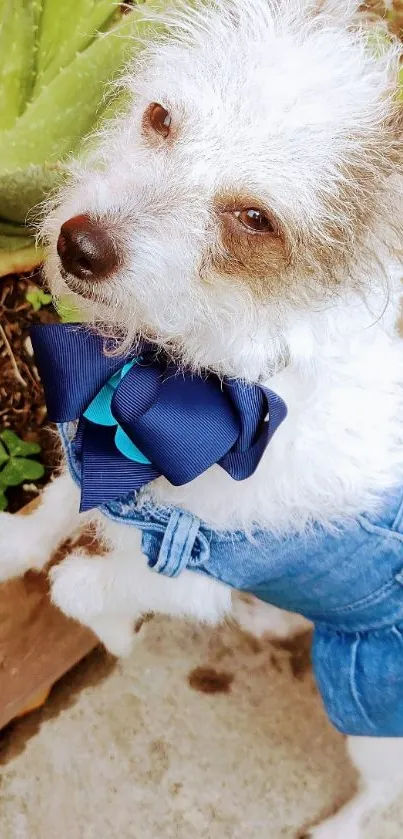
[{"x": 326, "y": 249}]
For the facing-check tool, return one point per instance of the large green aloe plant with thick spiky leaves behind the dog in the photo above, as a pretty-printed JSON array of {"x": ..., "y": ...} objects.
[{"x": 56, "y": 59}]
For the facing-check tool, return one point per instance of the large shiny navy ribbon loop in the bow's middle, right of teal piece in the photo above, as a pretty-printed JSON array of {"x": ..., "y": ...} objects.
[{"x": 183, "y": 424}]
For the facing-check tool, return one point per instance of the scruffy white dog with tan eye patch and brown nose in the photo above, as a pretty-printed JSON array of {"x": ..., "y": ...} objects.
[{"x": 243, "y": 214}]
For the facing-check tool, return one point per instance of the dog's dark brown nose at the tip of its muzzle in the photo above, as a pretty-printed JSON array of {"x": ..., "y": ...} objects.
[{"x": 86, "y": 249}]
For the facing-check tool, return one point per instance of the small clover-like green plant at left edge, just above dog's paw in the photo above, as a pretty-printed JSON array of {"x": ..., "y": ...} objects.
[{"x": 16, "y": 463}]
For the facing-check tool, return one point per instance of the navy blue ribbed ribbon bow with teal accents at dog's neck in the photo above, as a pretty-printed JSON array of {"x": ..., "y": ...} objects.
[{"x": 169, "y": 422}]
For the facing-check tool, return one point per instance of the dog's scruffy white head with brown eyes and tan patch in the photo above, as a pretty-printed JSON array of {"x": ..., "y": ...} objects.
[{"x": 252, "y": 179}]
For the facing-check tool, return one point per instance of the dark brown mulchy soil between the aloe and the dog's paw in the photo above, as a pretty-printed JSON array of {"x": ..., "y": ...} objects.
[{"x": 22, "y": 406}]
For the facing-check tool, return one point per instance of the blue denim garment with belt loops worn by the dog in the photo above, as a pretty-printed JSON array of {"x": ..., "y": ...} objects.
[{"x": 348, "y": 581}]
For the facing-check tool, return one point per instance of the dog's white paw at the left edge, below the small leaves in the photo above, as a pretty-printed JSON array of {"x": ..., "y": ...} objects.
[{"x": 20, "y": 547}]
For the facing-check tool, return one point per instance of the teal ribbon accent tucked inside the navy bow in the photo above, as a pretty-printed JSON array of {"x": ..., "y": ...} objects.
[{"x": 99, "y": 411}]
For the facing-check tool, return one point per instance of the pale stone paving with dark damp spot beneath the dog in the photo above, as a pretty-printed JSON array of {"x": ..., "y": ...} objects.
[{"x": 157, "y": 747}]
